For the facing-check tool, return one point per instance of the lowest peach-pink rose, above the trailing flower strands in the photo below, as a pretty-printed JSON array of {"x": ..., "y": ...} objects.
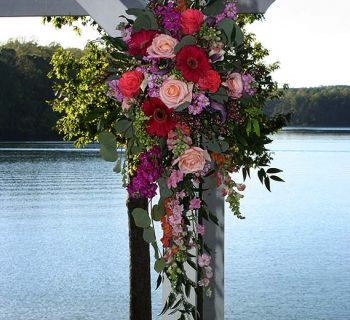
[{"x": 192, "y": 160}]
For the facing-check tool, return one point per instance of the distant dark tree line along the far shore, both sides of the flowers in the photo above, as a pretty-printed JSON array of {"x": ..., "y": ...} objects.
[{"x": 25, "y": 90}]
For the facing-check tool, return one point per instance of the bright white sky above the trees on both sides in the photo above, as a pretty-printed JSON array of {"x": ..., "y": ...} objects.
[{"x": 310, "y": 39}]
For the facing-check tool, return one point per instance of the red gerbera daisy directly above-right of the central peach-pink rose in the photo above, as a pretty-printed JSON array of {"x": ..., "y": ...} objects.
[{"x": 193, "y": 63}]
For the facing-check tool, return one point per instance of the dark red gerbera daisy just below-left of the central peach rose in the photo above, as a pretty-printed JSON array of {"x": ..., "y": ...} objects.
[{"x": 161, "y": 121}]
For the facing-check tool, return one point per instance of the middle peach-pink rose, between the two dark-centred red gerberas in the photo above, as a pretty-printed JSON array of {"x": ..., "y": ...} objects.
[{"x": 175, "y": 92}]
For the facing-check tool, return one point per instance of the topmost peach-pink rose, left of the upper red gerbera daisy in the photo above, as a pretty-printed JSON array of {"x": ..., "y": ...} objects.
[{"x": 162, "y": 47}]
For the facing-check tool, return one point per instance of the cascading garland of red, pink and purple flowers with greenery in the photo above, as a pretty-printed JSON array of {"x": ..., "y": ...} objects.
[{"x": 192, "y": 101}]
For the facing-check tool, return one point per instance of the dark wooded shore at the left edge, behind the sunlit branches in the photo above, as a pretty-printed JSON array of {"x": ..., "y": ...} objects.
[{"x": 24, "y": 90}]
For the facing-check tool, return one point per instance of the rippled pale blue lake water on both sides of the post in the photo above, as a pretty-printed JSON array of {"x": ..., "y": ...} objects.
[{"x": 64, "y": 249}]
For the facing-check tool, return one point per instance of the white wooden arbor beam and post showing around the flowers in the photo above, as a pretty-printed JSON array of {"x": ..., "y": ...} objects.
[{"x": 106, "y": 13}]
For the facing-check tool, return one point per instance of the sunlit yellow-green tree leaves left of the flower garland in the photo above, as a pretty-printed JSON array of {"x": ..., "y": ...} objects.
[{"x": 80, "y": 95}]
